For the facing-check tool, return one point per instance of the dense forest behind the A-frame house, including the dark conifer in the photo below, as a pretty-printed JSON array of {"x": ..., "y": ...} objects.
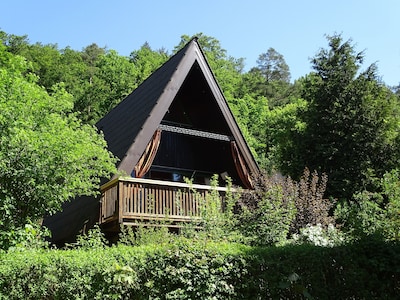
[{"x": 271, "y": 109}]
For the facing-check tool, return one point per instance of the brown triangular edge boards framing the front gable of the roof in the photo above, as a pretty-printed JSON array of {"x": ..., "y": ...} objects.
[{"x": 187, "y": 56}]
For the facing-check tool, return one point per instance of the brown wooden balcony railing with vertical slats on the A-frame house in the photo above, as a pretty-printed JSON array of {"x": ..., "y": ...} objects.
[{"x": 130, "y": 200}]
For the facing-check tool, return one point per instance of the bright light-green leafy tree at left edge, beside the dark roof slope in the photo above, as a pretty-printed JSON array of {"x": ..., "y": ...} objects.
[{"x": 46, "y": 155}]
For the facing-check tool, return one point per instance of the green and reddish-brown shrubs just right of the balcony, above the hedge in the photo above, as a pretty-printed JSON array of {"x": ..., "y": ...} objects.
[{"x": 279, "y": 207}]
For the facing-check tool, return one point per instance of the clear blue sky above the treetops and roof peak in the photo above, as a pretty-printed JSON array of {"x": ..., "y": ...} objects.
[{"x": 294, "y": 28}]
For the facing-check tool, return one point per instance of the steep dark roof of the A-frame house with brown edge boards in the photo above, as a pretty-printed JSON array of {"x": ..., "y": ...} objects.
[{"x": 130, "y": 125}]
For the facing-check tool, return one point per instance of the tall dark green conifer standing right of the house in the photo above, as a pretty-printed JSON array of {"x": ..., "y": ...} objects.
[{"x": 352, "y": 122}]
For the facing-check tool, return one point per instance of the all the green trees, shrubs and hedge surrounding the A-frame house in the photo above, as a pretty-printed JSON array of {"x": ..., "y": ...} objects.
[{"x": 329, "y": 192}]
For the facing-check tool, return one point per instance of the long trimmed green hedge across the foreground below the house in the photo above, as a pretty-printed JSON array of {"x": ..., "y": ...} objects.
[{"x": 204, "y": 270}]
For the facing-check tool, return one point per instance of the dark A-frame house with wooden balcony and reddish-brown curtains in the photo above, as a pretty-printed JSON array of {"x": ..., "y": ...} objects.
[{"x": 176, "y": 124}]
